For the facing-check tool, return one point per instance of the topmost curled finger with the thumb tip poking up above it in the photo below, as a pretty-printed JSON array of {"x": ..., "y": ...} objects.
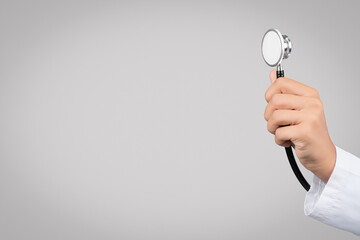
[{"x": 288, "y": 86}]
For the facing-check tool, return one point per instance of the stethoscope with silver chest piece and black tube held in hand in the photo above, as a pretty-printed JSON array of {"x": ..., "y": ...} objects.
[{"x": 276, "y": 47}]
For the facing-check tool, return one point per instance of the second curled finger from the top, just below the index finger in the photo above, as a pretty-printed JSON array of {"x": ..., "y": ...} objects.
[{"x": 286, "y": 101}]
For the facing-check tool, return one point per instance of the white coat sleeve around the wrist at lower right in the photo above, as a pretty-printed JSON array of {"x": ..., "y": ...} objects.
[{"x": 337, "y": 203}]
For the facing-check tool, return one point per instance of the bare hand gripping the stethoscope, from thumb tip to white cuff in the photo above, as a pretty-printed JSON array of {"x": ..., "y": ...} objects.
[{"x": 295, "y": 115}]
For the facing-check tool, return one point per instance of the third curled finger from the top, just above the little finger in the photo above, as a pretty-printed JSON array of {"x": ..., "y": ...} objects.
[{"x": 282, "y": 118}]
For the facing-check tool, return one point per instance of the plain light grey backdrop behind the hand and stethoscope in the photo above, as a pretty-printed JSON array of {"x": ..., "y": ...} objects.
[{"x": 144, "y": 119}]
